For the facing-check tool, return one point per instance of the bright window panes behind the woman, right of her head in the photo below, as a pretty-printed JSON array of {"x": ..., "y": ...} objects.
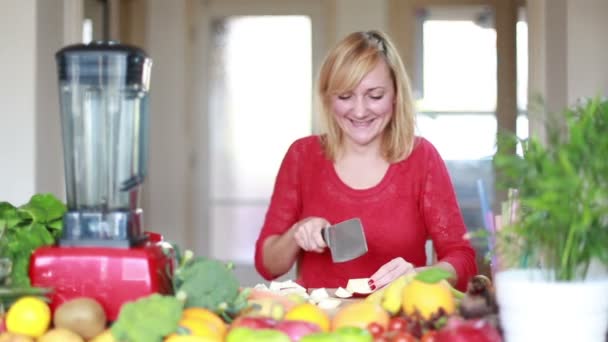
[{"x": 457, "y": 98}]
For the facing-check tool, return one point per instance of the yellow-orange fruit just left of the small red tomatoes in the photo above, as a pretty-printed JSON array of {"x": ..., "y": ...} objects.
[{"x": 360, "y": 314}]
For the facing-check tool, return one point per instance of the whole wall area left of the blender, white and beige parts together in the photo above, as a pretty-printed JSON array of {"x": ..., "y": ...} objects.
[{"x": 31, "y": 32}]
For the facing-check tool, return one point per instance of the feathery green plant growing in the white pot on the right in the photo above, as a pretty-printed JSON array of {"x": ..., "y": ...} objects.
[{"x": 562, "y": 223}]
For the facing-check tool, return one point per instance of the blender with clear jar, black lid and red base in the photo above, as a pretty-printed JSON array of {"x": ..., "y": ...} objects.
[{"x": 104, "y": 252}]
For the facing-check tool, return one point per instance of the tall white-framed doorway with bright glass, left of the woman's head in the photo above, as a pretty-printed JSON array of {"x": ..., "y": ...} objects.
[{"x": 260, "y": 63}]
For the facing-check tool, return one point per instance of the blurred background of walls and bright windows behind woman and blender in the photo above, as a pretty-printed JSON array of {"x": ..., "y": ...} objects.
[{"x": 232, "y": 82}]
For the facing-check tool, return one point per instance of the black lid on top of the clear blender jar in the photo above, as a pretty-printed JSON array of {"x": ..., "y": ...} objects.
[{"x": 91, "y": 63}]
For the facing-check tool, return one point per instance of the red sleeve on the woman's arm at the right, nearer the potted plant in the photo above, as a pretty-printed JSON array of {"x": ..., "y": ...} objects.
[{"x": 444, "y": 221}]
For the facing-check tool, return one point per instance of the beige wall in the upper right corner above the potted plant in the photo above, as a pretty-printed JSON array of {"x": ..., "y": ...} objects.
[{"x": 568, "y": 54}]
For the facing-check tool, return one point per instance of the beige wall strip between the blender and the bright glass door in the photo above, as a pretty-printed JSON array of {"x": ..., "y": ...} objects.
[{"x": 165, "y": 189}]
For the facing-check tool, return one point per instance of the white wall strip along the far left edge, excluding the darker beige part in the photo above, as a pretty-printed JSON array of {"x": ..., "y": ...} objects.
[{"x": 17, "y": 100}]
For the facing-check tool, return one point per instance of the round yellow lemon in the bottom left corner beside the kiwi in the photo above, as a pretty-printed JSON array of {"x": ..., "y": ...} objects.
[{"x": 30, "y": 316}]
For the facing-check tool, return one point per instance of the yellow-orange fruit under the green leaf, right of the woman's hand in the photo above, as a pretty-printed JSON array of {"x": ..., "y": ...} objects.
[{"x": 427, "y": 298}]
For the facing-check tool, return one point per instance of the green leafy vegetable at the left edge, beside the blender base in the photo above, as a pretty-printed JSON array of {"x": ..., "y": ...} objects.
[{"x": 23, "y": 229}]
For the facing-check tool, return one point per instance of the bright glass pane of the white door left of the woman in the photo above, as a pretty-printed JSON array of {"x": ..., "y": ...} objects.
[{"x": 261, "y": 81}]
